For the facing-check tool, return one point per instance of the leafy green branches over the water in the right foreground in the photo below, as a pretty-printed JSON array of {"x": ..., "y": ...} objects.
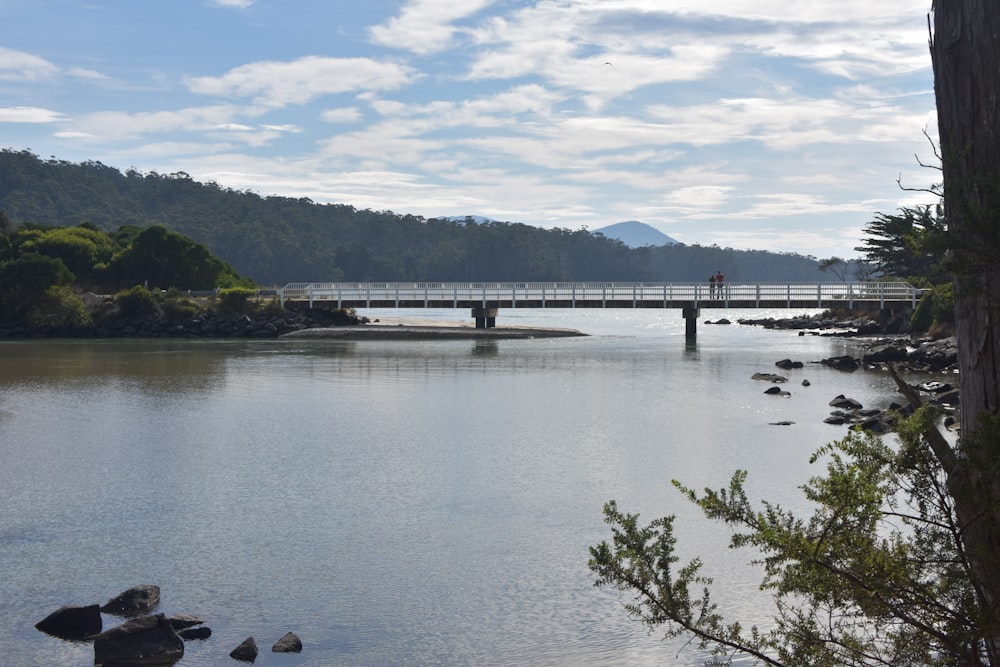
[{"x": 876, "y": 575}]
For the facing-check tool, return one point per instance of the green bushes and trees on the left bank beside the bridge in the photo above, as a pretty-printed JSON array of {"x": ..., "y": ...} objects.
[{"x": 56, "y": 280}]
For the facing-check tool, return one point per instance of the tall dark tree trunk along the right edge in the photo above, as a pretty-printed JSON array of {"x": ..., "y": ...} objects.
[{"x": 965, "y": 50}]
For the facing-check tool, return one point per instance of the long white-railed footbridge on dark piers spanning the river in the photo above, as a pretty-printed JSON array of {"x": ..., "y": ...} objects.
[{"x": 485, "y": 299}]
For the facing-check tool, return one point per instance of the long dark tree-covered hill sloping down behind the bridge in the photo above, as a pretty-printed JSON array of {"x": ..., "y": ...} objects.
[{"x": 276, "y": 240}]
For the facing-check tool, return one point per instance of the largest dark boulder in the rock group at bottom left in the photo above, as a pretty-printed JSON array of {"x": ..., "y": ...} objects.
[{"x": 146, "y": 640}]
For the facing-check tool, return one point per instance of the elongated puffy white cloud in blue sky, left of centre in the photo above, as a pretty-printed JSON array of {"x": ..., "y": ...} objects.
[{"x": 277, "y": 84}]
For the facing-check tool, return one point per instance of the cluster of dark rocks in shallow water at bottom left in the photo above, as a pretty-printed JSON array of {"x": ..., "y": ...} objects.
[{"x": 145, "y": 638}]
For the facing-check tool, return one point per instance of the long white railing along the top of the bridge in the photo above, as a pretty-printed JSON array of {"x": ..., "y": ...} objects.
[{"x": 590, "y": 293}]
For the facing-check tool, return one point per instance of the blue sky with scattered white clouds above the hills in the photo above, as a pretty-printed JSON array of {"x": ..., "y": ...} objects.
[{"x": 750, "y": 124}]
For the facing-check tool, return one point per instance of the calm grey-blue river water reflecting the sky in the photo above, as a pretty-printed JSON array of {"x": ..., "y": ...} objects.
[{"x": 393, "y": 503}]
